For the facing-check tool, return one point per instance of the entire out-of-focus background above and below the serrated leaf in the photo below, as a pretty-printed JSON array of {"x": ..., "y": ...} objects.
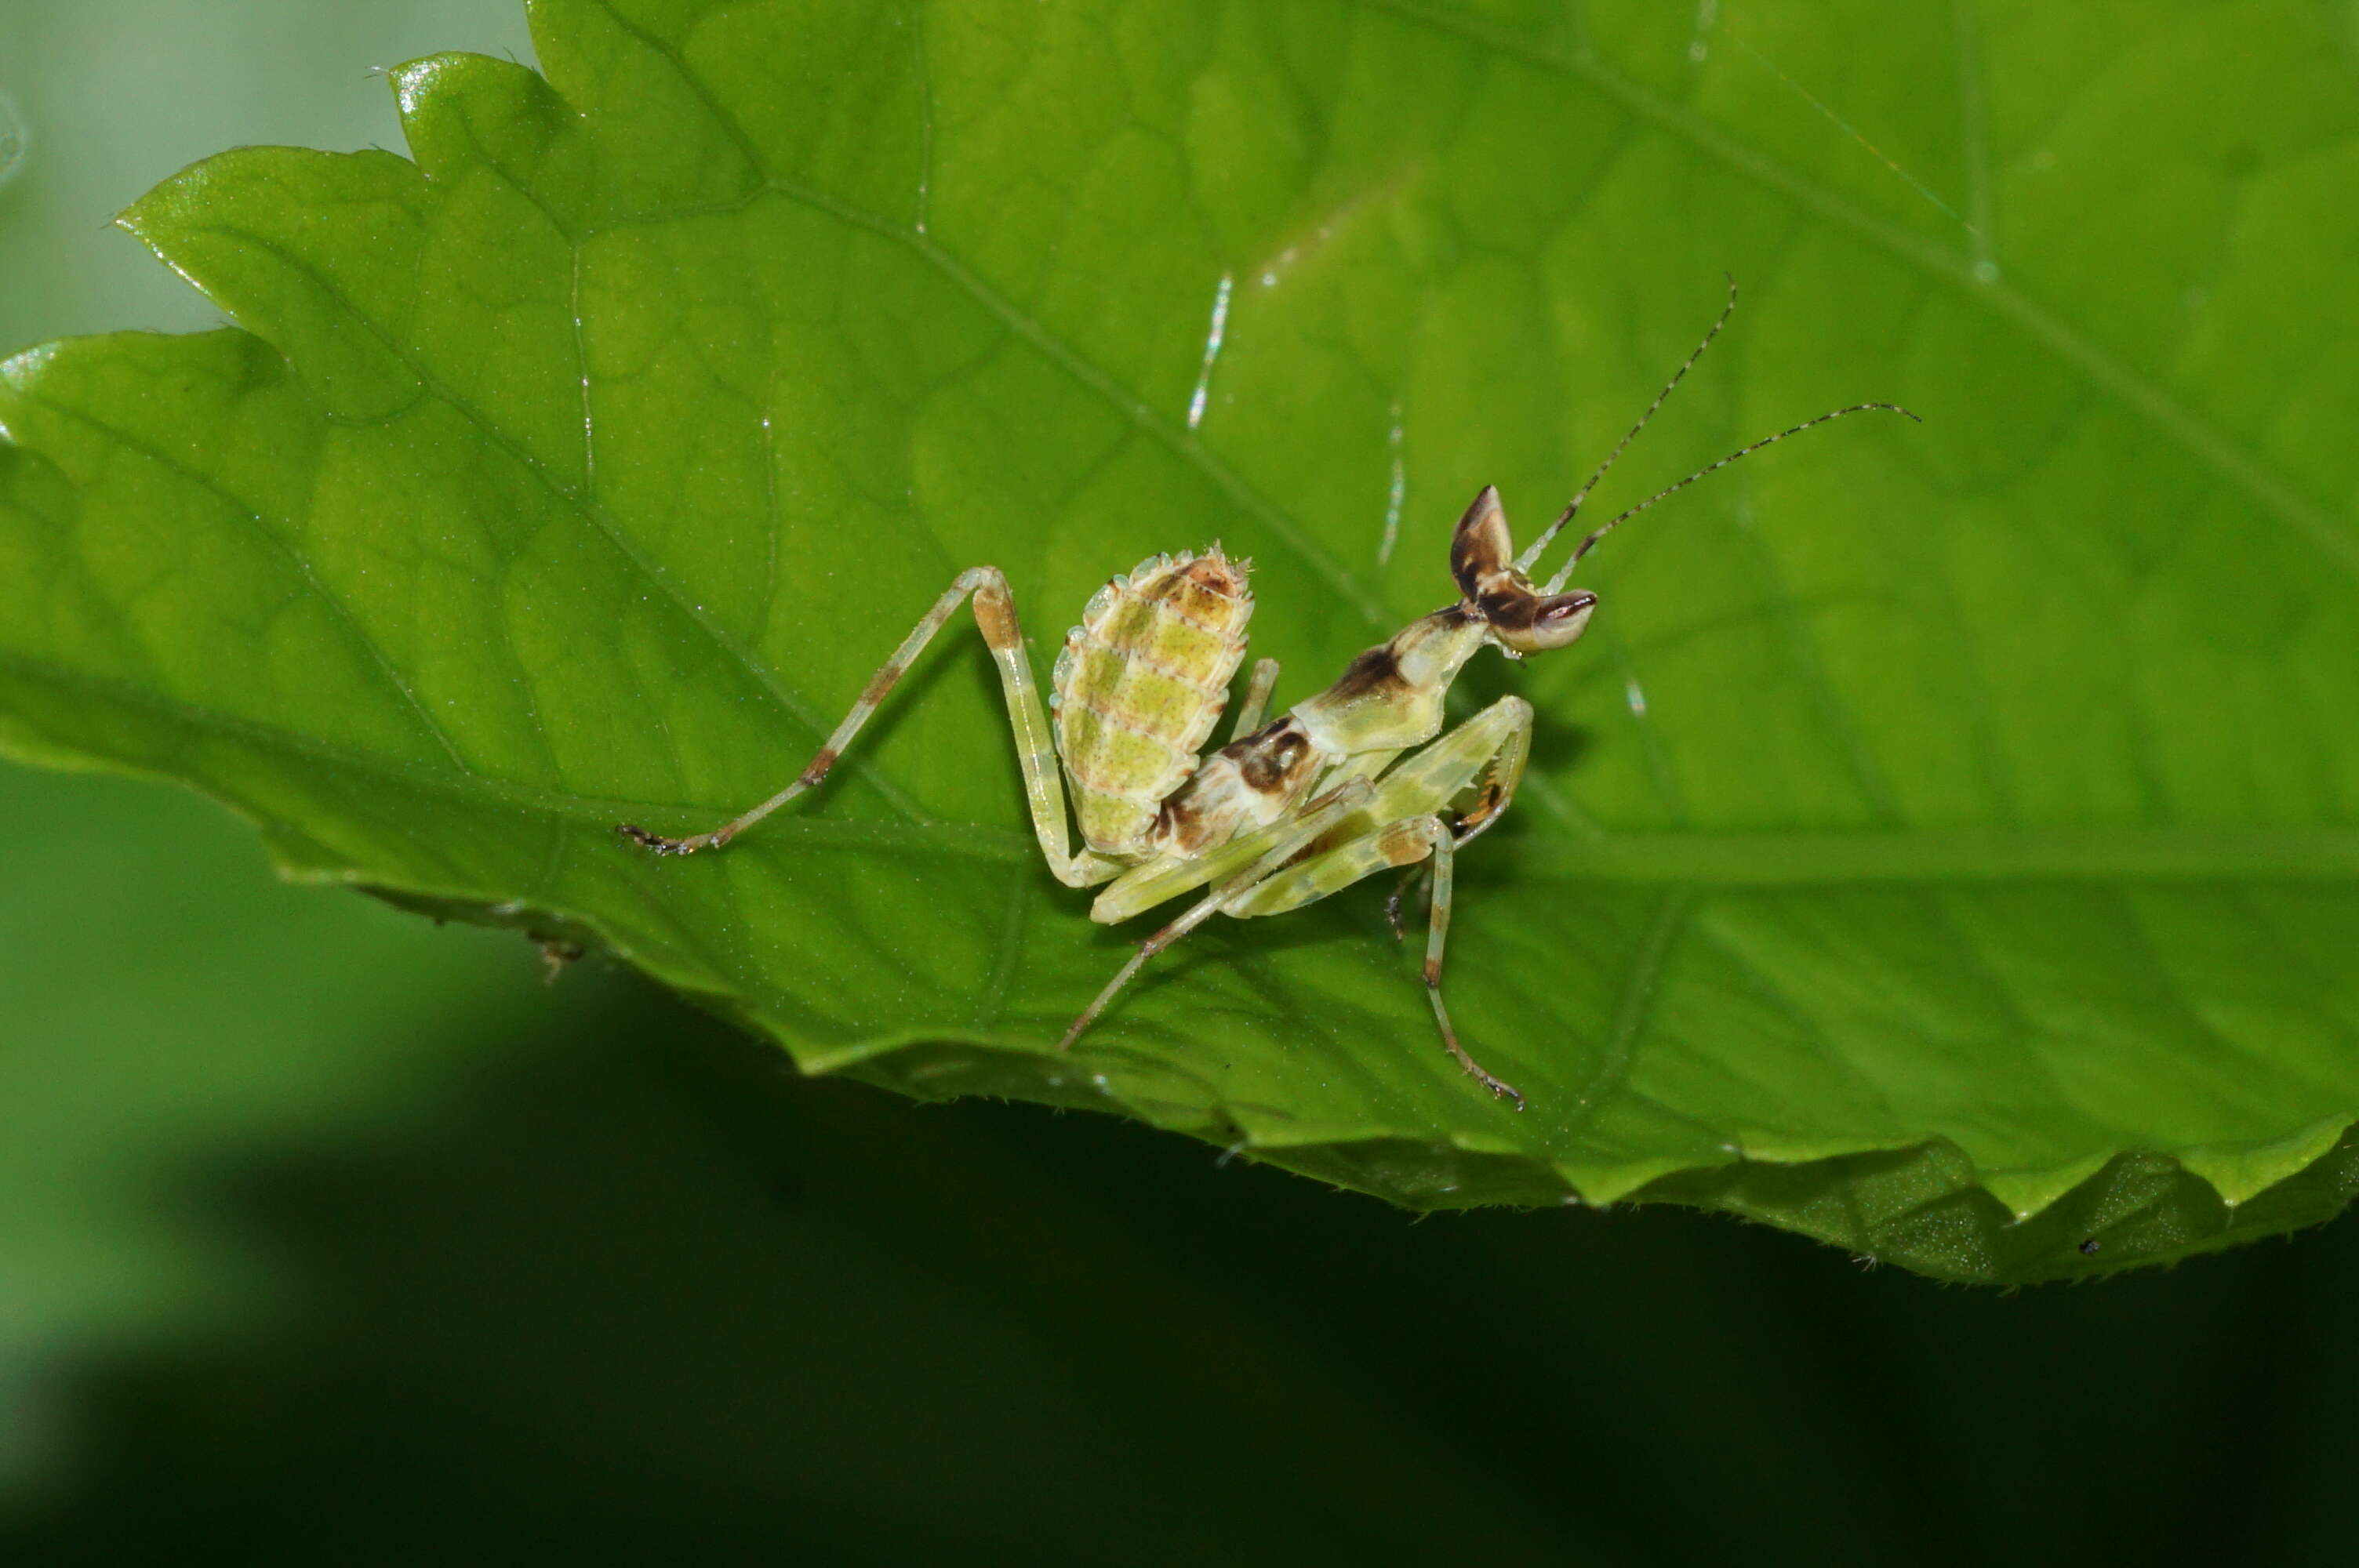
[{"x": 336, "y": 1237}]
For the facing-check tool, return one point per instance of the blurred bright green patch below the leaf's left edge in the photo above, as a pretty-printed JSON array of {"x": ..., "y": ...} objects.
[{"x": 164, "y": 1001}]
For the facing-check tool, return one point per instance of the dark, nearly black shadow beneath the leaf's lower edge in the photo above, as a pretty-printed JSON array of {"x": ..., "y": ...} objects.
[{"x": 650, "y": 1298}]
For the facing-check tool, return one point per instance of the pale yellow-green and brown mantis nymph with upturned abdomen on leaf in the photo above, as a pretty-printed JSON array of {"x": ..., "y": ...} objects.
[{"x": 1299, "y": 808}]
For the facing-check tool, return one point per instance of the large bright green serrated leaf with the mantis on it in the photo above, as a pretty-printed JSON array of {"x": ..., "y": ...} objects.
[{"x": 1945, "y": 843}]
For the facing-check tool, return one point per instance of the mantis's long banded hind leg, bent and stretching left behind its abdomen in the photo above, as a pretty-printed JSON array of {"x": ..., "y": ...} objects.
[{"x": 1044, "y": 786}]
